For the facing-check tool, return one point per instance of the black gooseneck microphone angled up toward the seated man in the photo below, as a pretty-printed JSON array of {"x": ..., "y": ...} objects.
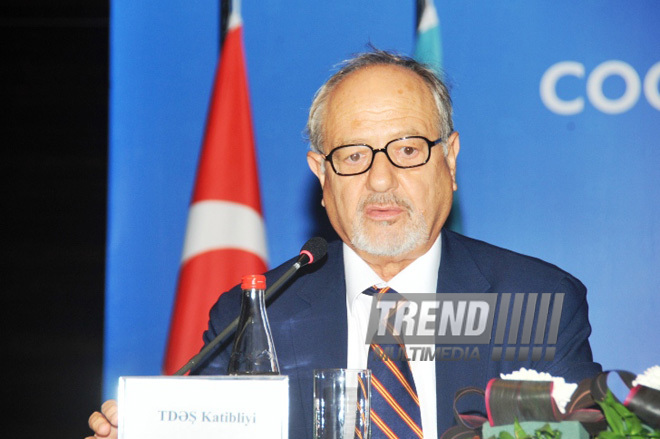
[{"x": 312, "y": 251}]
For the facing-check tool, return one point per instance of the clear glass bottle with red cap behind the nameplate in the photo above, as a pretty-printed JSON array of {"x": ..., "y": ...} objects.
[{"x": 254, "y": 351}]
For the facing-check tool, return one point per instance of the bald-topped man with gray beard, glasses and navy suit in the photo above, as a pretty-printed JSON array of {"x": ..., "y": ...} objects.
[{"x": 389, "y": 210}]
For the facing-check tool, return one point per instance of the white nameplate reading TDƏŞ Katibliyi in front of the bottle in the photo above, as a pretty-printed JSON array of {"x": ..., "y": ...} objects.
[{"x": 204, "y": 407}]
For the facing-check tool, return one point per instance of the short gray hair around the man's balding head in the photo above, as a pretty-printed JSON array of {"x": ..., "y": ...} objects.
[{"x": 378, "y": 57}]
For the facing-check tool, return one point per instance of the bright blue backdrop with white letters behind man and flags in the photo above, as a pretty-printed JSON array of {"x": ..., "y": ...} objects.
[{"x": 557, "y": 103}]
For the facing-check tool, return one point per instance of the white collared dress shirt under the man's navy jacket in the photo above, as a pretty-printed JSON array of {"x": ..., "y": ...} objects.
[{"x": 421, "y": 276}]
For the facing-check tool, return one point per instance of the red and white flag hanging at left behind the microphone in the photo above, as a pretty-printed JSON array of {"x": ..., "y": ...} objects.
[{"x": 225, "y": 235}]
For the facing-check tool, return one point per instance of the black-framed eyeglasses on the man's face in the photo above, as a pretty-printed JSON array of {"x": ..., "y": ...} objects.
[{"x": 406, "y": 152}]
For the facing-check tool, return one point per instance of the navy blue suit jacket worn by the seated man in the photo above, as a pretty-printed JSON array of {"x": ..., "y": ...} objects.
[{"x": 309, "y": 324}]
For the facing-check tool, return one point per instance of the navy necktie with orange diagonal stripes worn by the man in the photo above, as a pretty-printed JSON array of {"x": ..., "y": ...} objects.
[{"x": 394, "y": 404}]
